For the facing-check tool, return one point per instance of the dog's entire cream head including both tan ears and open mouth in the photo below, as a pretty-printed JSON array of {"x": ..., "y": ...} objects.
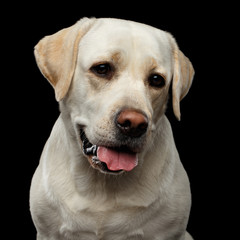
[{"x": 112, "y": 77}]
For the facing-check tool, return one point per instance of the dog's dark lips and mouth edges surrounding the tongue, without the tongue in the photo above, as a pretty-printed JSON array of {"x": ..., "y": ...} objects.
[{"x": 91, "y": 152}]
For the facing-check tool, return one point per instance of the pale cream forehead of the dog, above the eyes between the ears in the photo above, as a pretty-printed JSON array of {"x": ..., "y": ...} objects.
[{"x": 113, "y": 35}]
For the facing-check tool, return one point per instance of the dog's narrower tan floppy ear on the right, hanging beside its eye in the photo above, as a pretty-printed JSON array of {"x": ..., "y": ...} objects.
[{"x": 182, "y": 78}]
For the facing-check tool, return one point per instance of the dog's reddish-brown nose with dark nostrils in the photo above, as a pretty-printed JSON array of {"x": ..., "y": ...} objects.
[{"x": 132, "y": 123}]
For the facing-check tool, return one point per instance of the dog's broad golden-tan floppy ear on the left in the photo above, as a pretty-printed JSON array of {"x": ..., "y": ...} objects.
[{"x": 56, "y": 55}]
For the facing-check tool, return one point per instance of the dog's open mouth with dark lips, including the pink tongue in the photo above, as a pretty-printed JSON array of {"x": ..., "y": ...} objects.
[{"x": 110, "y": 160}]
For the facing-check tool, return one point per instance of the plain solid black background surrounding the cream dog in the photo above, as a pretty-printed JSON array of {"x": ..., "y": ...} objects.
[{"x": 30, "y": 110}]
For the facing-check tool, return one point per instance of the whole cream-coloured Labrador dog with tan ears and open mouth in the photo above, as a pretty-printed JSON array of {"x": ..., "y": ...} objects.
[{"x": 110, "y": 169}]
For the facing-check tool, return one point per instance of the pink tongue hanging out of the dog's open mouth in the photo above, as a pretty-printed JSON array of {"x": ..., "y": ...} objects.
[{"x": 117, "y": 160}]
